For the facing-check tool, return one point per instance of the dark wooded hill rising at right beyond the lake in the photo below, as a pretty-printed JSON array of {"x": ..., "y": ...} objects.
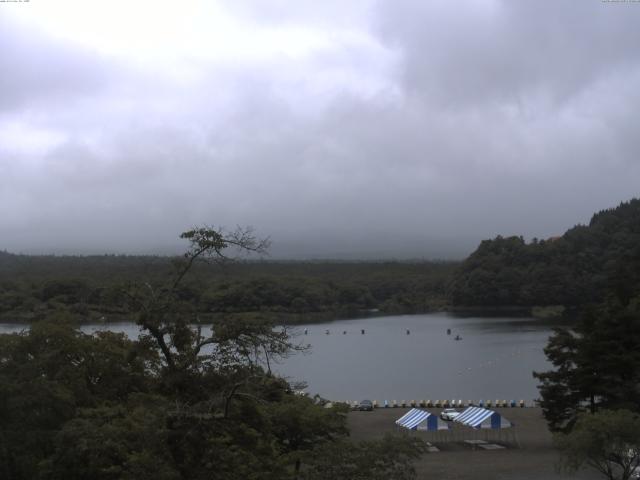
[{"x": 582, "y": 266}]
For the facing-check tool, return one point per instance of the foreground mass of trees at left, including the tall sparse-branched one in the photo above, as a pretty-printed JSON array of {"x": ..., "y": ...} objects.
[{"x": 178, "y": 402}]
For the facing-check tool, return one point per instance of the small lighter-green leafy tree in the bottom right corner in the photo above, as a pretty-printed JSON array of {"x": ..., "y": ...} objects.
[{"x": 608, "y": 441}]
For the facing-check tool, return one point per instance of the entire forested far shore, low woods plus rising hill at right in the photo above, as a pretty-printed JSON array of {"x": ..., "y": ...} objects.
[{"x": 542, "y": 276}]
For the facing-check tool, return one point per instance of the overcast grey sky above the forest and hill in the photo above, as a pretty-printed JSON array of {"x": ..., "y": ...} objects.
[{"x": 357, "y": 129}]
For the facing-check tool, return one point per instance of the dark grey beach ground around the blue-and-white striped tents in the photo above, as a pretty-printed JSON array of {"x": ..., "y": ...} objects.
[{"x": 531, "y": 457}]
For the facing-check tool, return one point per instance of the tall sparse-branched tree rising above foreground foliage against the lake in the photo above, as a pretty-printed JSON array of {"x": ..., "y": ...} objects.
[{"x": 209, "y": 368}]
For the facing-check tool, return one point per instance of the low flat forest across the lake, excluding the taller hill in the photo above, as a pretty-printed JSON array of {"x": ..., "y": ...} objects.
[{"x": 287, "y": 291}]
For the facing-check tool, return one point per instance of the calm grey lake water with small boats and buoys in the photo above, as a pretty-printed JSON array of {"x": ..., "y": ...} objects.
[{"x": 494, "y": 359}]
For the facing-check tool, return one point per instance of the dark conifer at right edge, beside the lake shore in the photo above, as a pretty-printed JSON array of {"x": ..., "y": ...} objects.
[{"x": 597, "y": 365}]
